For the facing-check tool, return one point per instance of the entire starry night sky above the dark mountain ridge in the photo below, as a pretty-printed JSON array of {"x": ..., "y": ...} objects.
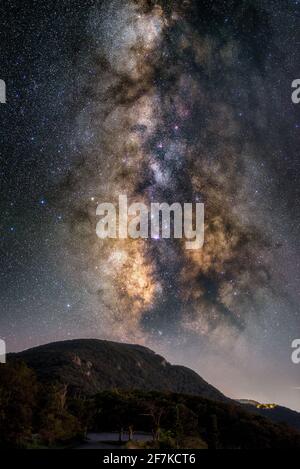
[{"x": 165, "y": 101}]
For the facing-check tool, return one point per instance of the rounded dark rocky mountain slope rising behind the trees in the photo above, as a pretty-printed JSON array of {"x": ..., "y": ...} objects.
[{"x": 90, "y": 365}]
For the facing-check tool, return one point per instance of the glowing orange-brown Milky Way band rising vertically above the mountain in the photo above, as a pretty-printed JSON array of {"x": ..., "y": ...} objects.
[{"x": 164, "y": 111}]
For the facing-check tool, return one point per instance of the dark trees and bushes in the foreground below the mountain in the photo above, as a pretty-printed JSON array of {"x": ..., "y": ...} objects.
[{"x": 33, "y": 414}]
